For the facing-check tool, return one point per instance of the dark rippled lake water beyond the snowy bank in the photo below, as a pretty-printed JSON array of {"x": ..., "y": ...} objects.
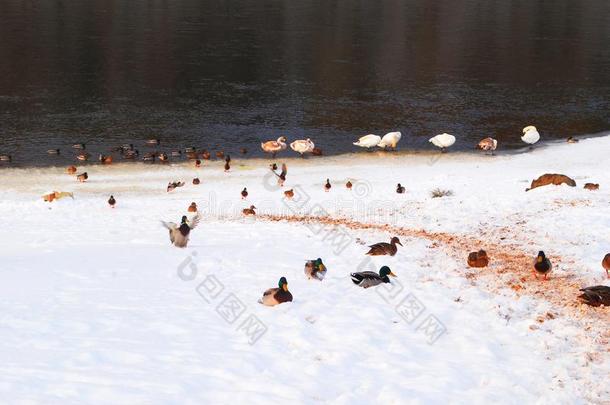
[{"x": 227, "y": 74}]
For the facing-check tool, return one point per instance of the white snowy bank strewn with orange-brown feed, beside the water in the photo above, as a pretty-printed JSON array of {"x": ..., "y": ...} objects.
[{"x": 97, "y": 307}]
